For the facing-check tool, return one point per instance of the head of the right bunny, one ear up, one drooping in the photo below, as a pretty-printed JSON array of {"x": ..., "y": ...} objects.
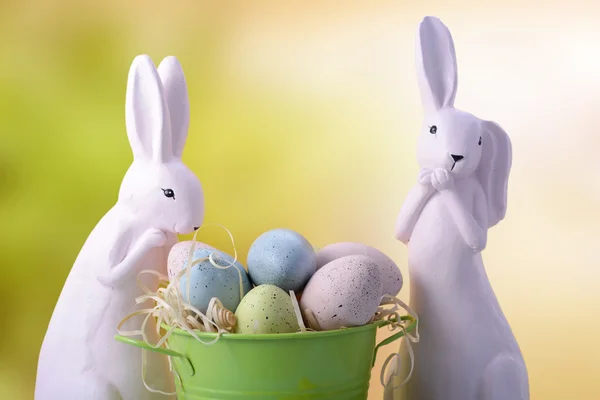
[{"x": 455, "y": 140}]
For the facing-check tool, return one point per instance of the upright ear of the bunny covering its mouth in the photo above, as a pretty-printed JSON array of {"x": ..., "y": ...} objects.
[{"x": 436, "y": 65}]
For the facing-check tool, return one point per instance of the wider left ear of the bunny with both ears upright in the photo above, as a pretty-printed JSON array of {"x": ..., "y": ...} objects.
[{"x": 146, "y": 113}]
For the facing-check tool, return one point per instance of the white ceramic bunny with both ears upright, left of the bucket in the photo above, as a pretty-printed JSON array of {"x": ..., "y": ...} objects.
[{"x": 159, "y": 198}]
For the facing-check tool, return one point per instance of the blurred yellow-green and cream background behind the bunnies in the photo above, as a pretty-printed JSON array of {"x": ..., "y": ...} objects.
[{"x": 305, "y": 115}]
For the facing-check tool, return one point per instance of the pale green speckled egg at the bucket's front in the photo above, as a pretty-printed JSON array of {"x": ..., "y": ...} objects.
[{"x": 266, "y": 309}]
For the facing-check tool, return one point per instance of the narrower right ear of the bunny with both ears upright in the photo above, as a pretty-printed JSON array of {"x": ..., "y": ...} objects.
[{"x": 176, "y": 95}]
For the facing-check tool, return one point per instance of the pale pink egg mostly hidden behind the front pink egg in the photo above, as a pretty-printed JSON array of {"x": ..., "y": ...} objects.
[{"x": 391, "y": 276}]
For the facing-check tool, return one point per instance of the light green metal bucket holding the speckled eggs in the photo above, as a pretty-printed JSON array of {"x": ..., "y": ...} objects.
[{"x": 292, "y": 366}]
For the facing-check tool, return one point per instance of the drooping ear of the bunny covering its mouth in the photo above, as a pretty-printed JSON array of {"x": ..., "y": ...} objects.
[{"x": 493, "y": 170}]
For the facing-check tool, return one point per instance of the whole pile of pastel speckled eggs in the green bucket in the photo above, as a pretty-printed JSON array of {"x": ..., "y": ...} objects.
[{"x": 341, "y": 285}]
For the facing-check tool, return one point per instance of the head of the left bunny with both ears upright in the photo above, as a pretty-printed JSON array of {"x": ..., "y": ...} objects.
[{"x": 158, "y": 187}]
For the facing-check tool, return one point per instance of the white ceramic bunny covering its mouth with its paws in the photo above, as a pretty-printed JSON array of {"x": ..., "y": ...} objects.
[{"x": 467, "y": 350}]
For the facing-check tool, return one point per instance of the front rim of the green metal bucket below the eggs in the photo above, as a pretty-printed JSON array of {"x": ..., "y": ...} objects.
[{"x": 276, "y": 336}]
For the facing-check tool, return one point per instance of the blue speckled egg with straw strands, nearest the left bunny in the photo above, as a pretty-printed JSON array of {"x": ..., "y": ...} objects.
[{"x": 207, "y": 281}]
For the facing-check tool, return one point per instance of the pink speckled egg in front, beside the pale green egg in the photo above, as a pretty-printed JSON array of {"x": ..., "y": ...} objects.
[{"x": 345, "y": 292}]
